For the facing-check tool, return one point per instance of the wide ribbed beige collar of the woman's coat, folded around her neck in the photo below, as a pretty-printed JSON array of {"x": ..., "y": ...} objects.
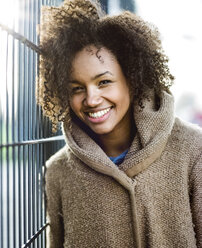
[{"x": 153, "y": 129}]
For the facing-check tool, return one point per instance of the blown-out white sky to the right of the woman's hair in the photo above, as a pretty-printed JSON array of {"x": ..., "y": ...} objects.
[{"x": 180, "y": 23}]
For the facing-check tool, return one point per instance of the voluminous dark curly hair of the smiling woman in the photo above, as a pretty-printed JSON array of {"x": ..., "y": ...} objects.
[{"x": 67, "y": 29}]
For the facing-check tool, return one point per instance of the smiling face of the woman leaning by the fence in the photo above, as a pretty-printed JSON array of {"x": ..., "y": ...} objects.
[{"x": 99, "y": 94}]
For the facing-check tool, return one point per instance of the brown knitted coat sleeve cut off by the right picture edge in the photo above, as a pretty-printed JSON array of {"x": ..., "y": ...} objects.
[{"x": 196, "y": 200}]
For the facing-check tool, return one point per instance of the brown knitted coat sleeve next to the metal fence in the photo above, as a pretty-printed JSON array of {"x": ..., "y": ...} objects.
[{"x": 55, "y": 234}]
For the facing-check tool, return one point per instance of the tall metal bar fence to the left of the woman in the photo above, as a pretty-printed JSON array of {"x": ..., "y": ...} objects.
[{"x": 25, "y": 135}]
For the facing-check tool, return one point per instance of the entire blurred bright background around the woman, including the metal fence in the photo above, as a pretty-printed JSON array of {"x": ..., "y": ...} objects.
[{"x": 26, "y": 140}]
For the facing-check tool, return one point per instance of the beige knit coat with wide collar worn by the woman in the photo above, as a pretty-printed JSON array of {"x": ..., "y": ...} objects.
[{"x": 153, "y": 199}]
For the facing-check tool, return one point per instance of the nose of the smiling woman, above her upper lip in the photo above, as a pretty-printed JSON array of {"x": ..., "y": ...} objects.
[{"x": 92, "y": 98}]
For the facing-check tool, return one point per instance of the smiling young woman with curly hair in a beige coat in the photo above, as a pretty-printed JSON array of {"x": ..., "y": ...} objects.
[{"x": 130, "y": 174}]
